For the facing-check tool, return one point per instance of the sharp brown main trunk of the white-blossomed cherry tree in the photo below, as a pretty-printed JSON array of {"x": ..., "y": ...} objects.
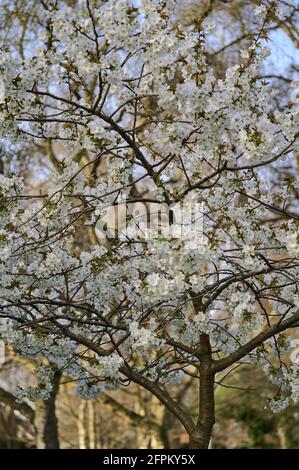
[{"x": 200, "y": 437}]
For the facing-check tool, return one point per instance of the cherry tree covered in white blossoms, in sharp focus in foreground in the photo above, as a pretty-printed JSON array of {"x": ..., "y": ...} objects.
[{"x": 125, "y": 84}]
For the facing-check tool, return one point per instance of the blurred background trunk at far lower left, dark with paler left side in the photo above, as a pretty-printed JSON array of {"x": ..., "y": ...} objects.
[{"x": 46, "y": 420}]
